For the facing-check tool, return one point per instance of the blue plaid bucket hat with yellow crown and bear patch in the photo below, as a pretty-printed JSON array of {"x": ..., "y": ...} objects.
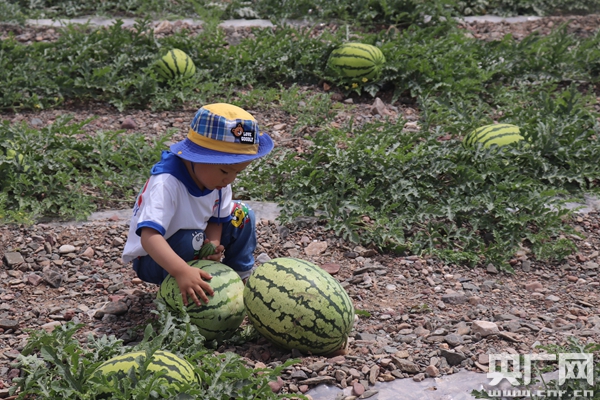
[{"x": 222, "y": 133}]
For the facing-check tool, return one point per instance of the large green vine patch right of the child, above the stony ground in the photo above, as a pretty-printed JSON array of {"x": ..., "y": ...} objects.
[{"x": 423, "y": 195}]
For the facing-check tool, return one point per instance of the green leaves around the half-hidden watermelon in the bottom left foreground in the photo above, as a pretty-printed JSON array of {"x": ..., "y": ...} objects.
[{"x": 58, "y": 365}]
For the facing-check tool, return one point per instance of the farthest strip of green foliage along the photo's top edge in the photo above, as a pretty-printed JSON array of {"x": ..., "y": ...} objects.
[{"x": 366, "y": 13}]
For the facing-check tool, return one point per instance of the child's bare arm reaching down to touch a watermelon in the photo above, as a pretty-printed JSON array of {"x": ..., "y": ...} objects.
[{"x": 191, "y": 281}]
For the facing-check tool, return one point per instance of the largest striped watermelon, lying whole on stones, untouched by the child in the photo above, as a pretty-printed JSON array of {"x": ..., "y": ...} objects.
[{"x": 297, "y": 305}]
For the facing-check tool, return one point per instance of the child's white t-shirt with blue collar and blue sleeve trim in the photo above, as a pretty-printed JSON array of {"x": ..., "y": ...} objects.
[{"x": 170, "y": 201}]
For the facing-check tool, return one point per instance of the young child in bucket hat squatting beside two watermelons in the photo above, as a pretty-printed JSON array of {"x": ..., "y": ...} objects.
[{"x": 187, "y": 201}]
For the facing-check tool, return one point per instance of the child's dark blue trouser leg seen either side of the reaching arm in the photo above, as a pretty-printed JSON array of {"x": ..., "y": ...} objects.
[{"x": 185, "y": 243}]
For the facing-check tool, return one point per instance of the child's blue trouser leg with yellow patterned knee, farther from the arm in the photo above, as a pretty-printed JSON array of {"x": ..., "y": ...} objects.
[{"x": 239, "y": 239}]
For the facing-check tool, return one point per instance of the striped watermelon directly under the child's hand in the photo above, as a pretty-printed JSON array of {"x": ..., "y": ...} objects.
[{"x": 224, "y": 313}]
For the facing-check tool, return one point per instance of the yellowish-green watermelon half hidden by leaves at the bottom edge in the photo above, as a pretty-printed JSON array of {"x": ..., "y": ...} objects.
[{"x": 177, "y": 369}]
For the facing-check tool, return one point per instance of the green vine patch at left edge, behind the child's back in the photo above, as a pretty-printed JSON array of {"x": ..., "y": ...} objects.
[{"x": 55, "y": 170}]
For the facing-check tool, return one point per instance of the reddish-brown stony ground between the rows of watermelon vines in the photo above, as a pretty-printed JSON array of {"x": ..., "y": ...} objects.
[{"x": 426, "y": 318}]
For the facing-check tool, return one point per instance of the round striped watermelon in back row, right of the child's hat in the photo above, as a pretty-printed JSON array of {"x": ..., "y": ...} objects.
[{"x": 358, "y": 62}]
